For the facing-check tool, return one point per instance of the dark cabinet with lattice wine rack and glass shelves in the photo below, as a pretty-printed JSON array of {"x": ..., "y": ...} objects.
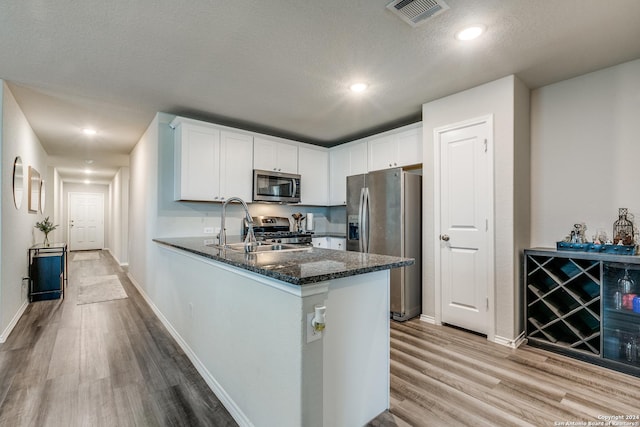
[{"x": 585, "y": 305}]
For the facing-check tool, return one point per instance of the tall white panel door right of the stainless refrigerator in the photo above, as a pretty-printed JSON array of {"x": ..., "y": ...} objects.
[{"x": 466, "y": 223}]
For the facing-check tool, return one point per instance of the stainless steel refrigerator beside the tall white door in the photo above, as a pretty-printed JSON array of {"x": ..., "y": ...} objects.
[{"x": 384, "y": 216}]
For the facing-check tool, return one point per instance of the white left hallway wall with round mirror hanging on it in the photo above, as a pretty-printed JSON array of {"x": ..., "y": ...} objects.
[{"x": 17, "y": 232}]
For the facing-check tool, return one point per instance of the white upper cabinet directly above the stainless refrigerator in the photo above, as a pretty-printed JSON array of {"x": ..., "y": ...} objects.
[{"x": 397, "y": 148}]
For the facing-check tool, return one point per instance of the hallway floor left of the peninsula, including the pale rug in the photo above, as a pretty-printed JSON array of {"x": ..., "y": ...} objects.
[{"x": 75, "y": 362}]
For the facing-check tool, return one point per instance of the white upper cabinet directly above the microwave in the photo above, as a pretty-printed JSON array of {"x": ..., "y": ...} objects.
[{"x": 269, "y": 154}]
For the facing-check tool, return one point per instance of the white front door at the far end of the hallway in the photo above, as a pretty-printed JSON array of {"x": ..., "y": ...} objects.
[{"x": 86, "y": 221}]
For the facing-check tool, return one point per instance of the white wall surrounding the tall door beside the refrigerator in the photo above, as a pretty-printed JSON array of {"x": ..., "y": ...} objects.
[{"x": 511, "y": 149}]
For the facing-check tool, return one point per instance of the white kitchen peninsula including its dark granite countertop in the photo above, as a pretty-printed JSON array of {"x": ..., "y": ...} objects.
[{"x": 247, "y": 329}]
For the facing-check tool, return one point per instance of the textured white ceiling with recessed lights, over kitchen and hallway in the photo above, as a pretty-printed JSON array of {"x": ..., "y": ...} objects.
[{"x": 278, "y": 67}]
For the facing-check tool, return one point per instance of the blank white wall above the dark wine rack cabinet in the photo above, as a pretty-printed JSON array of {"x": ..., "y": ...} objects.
[{"x": 585, "y": 152}]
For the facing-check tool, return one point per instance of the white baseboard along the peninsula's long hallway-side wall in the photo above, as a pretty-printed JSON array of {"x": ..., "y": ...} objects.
[{"x": 214, "y": 385}]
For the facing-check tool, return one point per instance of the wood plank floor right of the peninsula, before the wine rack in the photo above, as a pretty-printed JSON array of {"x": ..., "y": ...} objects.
[{"x": 441, "y": 376}]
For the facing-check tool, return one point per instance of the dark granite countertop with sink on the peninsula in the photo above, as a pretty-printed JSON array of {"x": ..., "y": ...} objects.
[{"x": 303, "y": 267}]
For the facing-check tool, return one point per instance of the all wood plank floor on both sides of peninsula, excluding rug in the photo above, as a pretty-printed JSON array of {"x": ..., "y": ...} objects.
[{"x": 113, "y": 364}]
